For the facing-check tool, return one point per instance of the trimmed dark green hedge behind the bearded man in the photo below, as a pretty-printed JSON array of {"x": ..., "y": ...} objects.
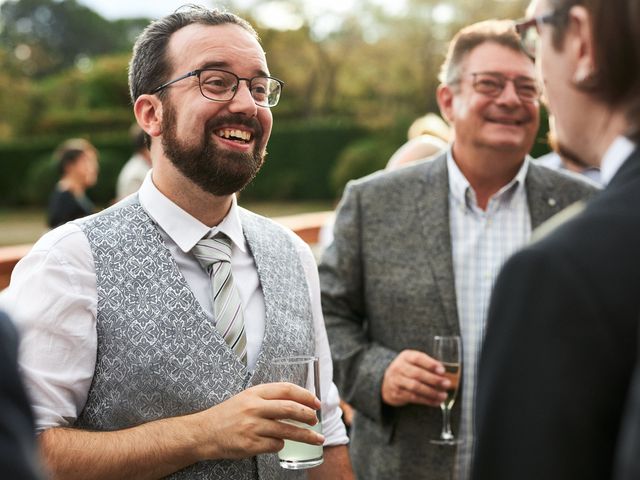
[{"x": 301, "y": 157}]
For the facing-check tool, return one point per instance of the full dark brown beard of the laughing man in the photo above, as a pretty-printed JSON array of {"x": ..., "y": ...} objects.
[{"x": 216, "y": 171}]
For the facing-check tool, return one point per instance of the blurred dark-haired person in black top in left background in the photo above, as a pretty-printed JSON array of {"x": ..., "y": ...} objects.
[{"x": 77, "y": 162}]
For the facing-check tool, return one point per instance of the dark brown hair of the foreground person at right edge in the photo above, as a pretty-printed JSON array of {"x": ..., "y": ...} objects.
[{"x": 616, "y": 33}]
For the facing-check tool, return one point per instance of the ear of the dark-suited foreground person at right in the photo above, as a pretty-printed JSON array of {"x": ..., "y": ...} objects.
[{"x": 581, "y": 45}]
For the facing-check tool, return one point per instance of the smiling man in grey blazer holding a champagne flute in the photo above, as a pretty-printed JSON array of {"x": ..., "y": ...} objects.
[{"x": 417, "y": 249}]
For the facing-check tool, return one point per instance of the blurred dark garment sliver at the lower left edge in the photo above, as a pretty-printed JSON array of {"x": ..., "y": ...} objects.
[{"x": 17, "y": 442}]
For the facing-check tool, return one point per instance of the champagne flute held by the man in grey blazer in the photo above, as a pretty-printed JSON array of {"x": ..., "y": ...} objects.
[{"x": 447, "y": 350}]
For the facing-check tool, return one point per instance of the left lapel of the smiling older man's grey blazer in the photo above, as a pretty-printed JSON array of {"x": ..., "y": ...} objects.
[{"x": 433, "y": 208}]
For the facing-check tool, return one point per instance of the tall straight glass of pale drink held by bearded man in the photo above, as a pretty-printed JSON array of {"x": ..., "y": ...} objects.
[{"x": 303, "y": 371}]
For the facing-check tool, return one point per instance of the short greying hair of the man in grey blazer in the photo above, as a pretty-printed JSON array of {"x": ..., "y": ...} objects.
[{"x": 501, "y": 32}]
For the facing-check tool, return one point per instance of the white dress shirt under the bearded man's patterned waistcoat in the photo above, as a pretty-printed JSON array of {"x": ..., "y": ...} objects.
[{"x": 53, "y": 298}]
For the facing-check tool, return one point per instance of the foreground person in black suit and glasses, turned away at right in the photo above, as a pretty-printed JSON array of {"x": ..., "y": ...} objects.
[{"x": 562, "y": 337}]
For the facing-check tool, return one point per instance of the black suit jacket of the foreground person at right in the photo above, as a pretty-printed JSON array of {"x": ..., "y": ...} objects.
[{"x": 561, "y": 345}]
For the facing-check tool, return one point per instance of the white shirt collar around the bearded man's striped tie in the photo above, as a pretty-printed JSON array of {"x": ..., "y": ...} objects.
[{"x": 184, "y": 229}]
